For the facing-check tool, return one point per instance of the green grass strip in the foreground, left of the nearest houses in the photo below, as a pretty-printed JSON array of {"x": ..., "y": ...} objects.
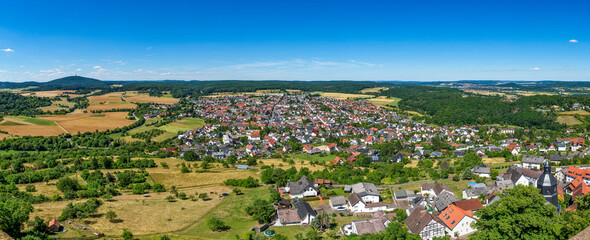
[{"x": 232, "y": 212}]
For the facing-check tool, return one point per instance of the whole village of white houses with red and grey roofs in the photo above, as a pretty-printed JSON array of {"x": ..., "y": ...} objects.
[{"x": 348, "y": 131}]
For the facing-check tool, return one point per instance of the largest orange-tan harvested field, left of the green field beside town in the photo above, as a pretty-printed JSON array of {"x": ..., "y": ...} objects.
[{"x": 87, "y": 122}]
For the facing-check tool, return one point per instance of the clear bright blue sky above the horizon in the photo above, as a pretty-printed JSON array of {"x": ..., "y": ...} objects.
[{"x": 295, "y": 40}]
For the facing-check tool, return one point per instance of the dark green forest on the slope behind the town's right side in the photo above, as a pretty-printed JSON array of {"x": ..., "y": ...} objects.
[{"x": 446, "y": 106}]
